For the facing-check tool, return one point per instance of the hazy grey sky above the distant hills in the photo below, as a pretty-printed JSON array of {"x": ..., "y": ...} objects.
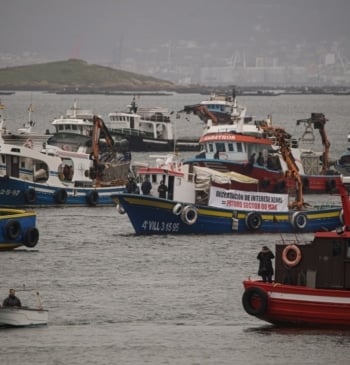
[{"x": 93, "y": 29}]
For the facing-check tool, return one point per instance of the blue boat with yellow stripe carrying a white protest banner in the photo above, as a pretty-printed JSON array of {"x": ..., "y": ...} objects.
[{"x": 202, "y": 201}]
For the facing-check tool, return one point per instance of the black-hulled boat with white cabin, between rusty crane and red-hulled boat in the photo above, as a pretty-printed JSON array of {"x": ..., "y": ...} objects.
[{"x": 148, "y": 129}]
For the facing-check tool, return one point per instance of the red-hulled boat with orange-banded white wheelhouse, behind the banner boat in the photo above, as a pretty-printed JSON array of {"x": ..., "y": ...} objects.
[{"x": 230, "y": 147}]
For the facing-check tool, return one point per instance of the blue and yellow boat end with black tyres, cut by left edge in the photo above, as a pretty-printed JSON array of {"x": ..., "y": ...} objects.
[{"x": 17, "y": 228}]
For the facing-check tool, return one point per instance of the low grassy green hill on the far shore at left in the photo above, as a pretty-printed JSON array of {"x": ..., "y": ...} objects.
[{"x": 75, "y": 74}]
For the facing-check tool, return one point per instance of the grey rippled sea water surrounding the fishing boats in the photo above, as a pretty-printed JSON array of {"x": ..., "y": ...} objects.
[{"x": 117, "y": 298}]
